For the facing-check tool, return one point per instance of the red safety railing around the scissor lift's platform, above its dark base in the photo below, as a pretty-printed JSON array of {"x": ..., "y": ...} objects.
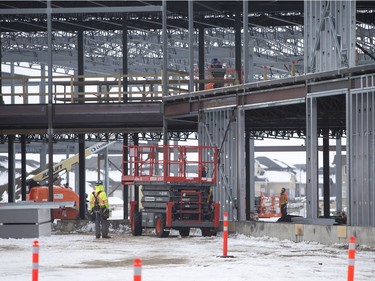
[{"x": 184, "y": 164}]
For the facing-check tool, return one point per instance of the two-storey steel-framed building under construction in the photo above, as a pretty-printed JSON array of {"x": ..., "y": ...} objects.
[{"x": 225, "y": 73}]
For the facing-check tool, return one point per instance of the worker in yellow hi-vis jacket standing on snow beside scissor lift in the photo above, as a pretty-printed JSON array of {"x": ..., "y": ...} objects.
[{"x": 100, "y": 209}]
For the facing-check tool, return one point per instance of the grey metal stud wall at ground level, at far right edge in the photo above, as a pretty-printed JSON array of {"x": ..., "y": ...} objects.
[{"x": 361, "y": 111}]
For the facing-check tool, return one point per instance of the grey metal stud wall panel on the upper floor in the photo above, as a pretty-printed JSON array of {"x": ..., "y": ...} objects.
[{"x": 329, "y": 35}]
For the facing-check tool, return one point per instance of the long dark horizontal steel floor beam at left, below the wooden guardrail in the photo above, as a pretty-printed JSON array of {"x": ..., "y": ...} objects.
[{"x": 75, "y": 116}]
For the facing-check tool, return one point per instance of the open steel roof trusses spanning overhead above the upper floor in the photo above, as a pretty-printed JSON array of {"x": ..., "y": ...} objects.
[{"x": 277, "y": 36}]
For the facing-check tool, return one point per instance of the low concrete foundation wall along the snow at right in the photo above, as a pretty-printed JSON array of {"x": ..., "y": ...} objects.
[{"x": 325, "y": 234}]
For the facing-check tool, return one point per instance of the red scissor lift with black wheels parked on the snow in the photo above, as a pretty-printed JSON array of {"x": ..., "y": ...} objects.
[{"x": 173, "y": 188}]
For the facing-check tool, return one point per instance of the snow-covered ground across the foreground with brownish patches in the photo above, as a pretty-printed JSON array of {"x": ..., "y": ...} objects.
[{"x": 77, "y": 257}]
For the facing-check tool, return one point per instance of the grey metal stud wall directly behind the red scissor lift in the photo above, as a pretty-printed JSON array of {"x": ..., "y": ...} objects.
[{"x": 225, "y": 129}]
